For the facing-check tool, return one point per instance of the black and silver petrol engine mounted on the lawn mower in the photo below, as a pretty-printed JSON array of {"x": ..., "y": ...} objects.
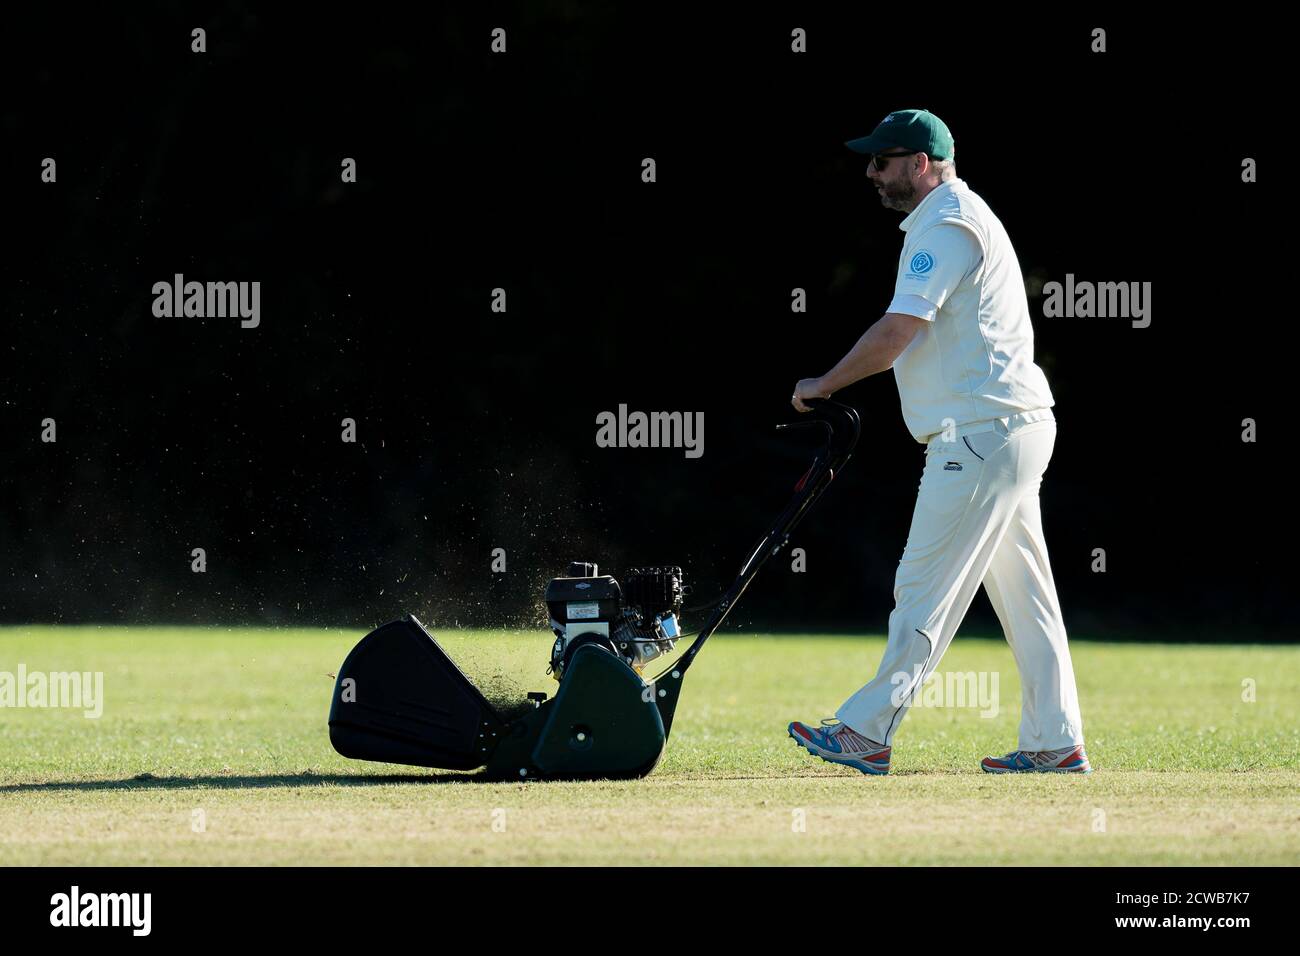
[{"x": 636, "y": 622}]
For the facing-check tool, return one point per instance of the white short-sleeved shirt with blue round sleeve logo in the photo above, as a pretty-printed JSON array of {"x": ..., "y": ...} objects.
[{"x": 974, "y": 360}]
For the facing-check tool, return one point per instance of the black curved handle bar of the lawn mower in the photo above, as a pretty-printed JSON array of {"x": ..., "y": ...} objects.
[{"x": 842, "y": 427}]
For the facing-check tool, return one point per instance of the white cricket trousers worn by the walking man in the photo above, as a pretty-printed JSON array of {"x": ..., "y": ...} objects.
[{"x": 977, "y": 521}]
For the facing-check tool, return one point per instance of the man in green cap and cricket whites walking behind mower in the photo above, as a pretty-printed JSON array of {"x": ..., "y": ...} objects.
[{"x": 959, "y": 339}]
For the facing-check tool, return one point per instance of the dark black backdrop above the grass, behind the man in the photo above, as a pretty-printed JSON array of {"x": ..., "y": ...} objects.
[{"x": 523, "y": 171}]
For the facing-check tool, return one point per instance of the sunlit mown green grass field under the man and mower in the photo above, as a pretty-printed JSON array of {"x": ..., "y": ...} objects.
[{"x": 213, "y": 750}]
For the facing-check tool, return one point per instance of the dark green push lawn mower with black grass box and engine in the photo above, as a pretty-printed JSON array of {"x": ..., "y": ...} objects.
[{"x": 400, "y": 698}]
